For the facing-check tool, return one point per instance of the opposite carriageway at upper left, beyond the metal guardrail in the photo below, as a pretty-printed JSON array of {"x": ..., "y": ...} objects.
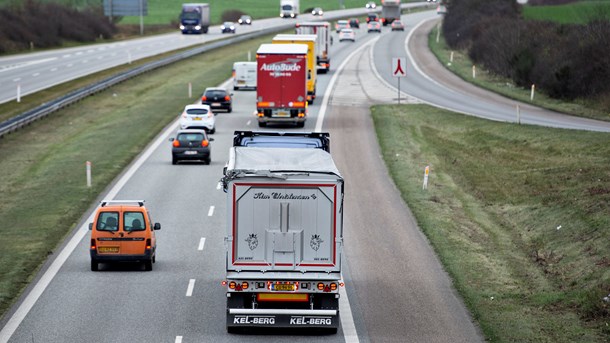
[{"x": 29, "y": 73}]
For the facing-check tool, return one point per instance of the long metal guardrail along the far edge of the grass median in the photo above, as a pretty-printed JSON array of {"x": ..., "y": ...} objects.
[{"x": 45, "y": 109}]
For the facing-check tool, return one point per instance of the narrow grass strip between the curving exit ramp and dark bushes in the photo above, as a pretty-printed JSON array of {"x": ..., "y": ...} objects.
[{"x": 462, "y": 67}]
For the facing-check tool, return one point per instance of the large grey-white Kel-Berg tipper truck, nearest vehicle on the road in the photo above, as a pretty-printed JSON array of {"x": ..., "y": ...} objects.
[{"x": 284, "y": 238}]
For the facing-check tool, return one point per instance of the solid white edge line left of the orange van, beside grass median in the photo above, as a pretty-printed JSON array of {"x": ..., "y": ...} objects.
[{"x": 27, "y": 304}]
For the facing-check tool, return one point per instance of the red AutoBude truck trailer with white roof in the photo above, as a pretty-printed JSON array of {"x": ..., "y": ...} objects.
[{"x": 281, "y": 92}]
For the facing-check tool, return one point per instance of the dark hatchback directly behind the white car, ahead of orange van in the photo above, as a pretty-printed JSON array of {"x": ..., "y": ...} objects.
[{"x": 191, "y": 145}]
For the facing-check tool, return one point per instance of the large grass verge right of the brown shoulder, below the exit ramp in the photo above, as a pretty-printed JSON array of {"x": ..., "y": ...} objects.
[{"x": 497, "y": 194}]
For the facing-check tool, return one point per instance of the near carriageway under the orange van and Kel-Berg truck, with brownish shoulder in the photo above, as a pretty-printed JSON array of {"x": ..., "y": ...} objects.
[{"x": 396, "y": 289}]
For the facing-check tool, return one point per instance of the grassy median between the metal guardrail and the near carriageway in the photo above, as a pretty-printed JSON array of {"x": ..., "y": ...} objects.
[{"x": 42, "y": 190}]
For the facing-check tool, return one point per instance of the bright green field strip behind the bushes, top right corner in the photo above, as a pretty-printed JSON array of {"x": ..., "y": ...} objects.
[{"x": 580, "y": 12}]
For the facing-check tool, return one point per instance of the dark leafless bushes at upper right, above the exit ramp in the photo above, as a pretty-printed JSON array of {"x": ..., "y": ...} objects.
[{"x": 567, "y": 61}]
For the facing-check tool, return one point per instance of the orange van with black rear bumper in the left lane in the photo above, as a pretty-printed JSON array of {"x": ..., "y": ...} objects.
[{"x": 122, "y": 231}]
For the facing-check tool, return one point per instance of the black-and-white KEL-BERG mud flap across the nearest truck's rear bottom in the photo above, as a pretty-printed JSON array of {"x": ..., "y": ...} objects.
[{"x": 283, "y": 319}]
